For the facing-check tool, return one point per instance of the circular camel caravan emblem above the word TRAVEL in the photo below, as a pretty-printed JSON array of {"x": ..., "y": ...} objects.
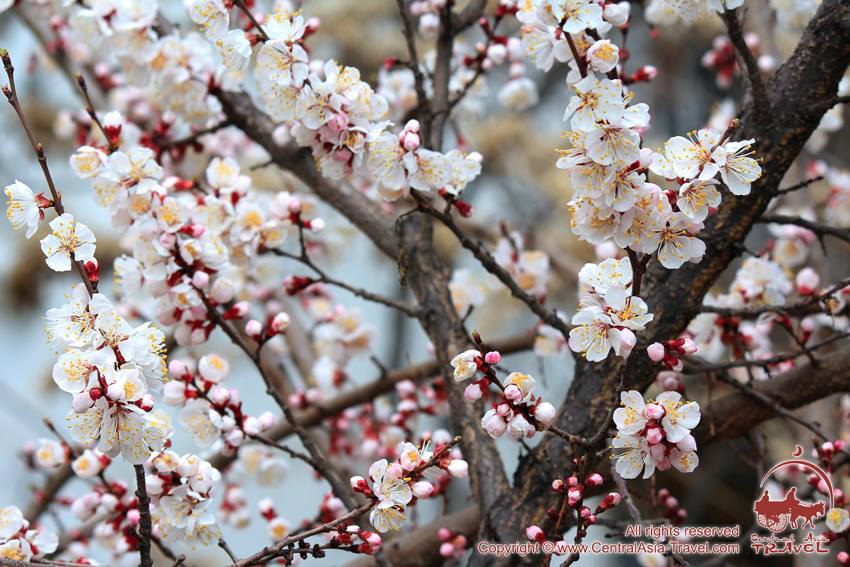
[{"x": 778, "y": 515}]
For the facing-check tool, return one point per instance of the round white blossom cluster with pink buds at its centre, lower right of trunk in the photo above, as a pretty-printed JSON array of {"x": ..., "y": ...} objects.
[{"x": 655, "y": 435}]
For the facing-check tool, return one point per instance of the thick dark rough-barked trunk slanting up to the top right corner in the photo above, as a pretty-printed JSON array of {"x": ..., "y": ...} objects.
[{"x": 798, "y": 96}]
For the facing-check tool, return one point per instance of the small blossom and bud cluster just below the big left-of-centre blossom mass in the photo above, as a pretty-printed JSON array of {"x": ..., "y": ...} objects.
[{"x": 211, "y": 411}]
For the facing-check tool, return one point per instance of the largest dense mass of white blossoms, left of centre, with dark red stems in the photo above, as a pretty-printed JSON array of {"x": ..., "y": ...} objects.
[{"x": 189, "y": 238}]
